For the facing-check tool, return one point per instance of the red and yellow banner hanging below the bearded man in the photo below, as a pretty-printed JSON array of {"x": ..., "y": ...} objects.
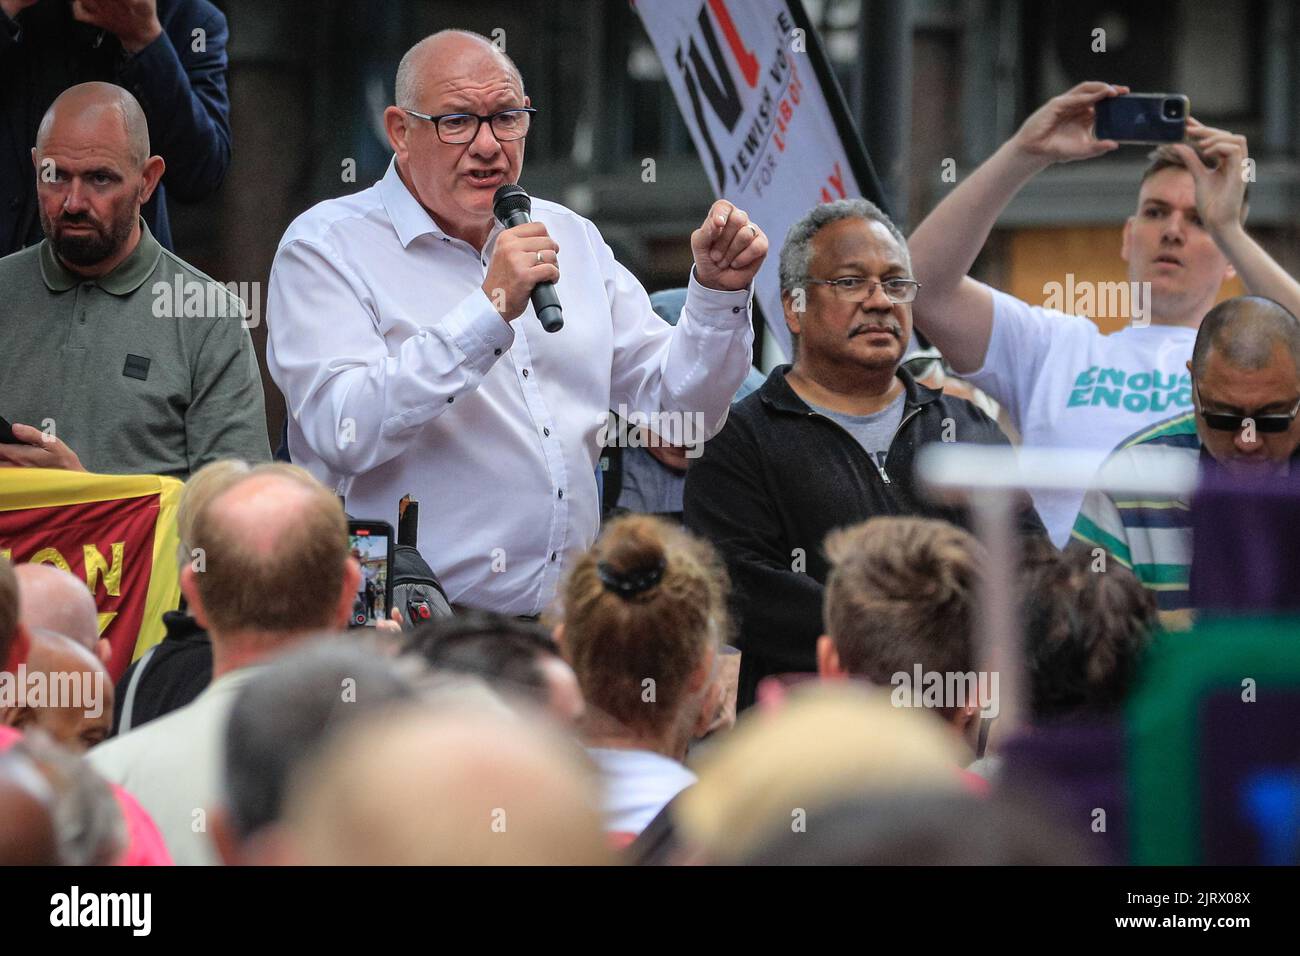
[{"x": 116, "y": 533}]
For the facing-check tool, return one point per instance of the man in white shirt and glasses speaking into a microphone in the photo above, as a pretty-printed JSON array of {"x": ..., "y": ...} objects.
[{"x": 411, "y": 360}]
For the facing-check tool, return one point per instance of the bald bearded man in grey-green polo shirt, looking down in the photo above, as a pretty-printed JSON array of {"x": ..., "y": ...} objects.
[{"x": 118, "y": 357}]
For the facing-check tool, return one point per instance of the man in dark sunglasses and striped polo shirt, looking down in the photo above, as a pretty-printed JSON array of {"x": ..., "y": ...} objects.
[{"x": 1247, "y": 396}]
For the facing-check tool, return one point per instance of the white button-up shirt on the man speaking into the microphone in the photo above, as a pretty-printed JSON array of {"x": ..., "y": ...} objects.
[{"x": 402, "y": 379}]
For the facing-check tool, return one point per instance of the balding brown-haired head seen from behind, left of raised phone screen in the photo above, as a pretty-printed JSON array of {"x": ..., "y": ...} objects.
[{"x": 272, "y": 556}]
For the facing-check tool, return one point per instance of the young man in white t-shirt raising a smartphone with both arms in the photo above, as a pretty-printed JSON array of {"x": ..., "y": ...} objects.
[{"x": 1063, "y": 383}]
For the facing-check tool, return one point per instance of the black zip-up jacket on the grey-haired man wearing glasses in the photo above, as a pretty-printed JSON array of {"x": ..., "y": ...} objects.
[{"x": 779, "y": 477}]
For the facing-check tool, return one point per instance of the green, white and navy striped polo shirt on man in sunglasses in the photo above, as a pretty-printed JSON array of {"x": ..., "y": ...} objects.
[{"x": 1151, "y": 537}]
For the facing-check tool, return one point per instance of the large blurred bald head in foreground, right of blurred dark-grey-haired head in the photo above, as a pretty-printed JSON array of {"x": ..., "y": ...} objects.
[{"x": 447, "y": 788}]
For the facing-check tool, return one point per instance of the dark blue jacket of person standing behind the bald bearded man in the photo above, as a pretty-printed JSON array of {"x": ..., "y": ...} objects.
[{"x": 183, "y": 90}]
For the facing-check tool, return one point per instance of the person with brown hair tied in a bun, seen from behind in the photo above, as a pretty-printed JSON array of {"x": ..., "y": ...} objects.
[{"x": 645, "y": 615}]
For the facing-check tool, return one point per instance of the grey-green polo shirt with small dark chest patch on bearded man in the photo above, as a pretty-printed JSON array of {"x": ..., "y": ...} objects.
[{"x": 149, "y": 370}]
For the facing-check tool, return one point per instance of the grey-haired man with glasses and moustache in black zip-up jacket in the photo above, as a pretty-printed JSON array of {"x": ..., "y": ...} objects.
[{"x": 829, "y": 442}]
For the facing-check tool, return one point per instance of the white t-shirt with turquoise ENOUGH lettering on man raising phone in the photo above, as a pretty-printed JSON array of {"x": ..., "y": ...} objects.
[{"x": 1067, "y": 386}]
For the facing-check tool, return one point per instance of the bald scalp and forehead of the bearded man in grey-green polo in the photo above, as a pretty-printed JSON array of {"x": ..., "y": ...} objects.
[{"x": 98, "y": 114}]
